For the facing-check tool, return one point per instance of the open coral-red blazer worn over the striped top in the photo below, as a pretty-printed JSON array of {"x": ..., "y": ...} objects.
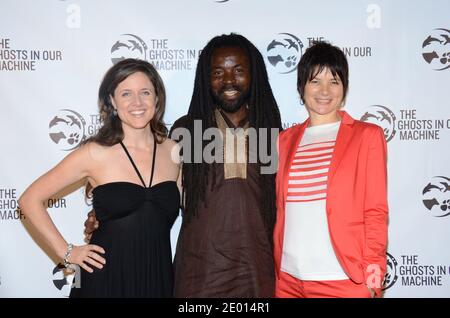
[{"x": 356, "y": 203}]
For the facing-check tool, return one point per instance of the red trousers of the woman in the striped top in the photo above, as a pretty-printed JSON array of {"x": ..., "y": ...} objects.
[{"x": 288, "y": 286}]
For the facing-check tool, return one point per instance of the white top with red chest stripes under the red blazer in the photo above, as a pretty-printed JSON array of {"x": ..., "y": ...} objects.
[{"x": 308, "y": 253}]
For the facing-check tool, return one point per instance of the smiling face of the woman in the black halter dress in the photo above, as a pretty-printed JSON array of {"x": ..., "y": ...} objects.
[{"x": 135, "y": 101}]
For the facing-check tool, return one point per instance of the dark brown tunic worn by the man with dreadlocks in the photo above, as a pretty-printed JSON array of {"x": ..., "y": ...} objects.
[{"x": 225, "y": 251}]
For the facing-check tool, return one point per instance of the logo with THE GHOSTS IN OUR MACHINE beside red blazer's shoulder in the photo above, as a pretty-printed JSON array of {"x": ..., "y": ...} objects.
[{"x": 409, "y": 126}]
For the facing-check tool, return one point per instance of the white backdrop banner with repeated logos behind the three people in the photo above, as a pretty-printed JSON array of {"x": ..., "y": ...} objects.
[{"x": 53, "y": 54}]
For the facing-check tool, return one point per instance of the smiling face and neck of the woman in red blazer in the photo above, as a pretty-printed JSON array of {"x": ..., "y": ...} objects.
[{"x": 323, "y": 97}]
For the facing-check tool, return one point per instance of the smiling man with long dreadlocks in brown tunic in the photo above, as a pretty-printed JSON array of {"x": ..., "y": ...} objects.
[{"x": 225, "y": 243}]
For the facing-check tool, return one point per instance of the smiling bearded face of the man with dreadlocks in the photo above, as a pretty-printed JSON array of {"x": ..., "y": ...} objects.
[{"x": 230, "y": 78}]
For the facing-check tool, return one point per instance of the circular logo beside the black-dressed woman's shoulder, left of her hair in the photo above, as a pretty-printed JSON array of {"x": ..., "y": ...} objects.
[{"x": 67, "y": 129}]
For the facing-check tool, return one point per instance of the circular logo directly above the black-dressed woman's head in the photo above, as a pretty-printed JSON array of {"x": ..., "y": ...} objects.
[{"x": 128, "y": 46}]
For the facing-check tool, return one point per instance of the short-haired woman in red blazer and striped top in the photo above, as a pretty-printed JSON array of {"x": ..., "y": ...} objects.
[{"x": 330, "y": 237}]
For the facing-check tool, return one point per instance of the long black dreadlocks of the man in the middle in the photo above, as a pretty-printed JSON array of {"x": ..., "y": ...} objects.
[{"x": 263, "y": 113}]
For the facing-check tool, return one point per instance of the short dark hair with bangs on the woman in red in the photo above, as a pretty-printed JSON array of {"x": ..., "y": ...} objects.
[{"x": 318, "y": 56}]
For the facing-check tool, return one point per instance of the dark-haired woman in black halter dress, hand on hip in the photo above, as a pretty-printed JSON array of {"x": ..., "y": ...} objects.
[{"x": 132, "y": 177}]
